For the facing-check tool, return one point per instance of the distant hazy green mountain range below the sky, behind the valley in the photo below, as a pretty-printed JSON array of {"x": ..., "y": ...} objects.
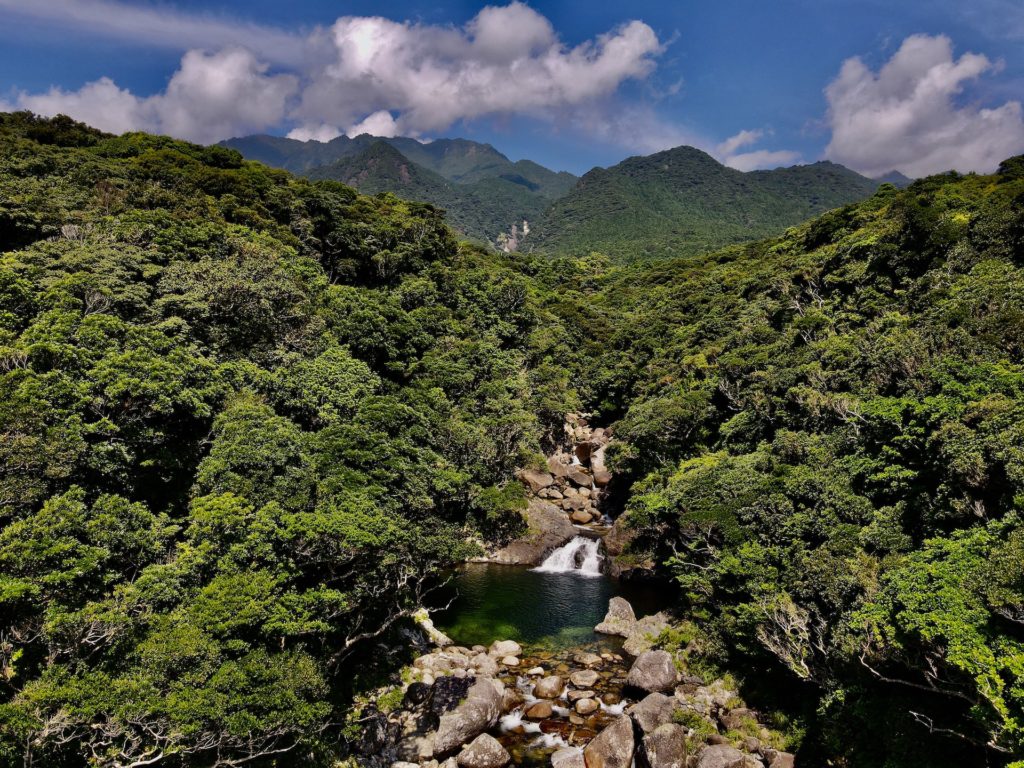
[{"x": 677, "y": 202}]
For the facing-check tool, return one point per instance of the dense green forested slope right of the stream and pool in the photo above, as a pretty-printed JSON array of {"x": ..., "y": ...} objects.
[{"x": 825, "y": 434}]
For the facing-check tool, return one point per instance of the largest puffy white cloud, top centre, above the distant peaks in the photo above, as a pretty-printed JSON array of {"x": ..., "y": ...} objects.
[{"x": 505, "y": 61}]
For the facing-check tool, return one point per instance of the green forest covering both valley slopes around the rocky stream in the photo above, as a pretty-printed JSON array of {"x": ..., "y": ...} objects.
[{"x": 249, "y": 419}]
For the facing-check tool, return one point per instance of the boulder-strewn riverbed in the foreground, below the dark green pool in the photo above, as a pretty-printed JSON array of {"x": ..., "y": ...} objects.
[{"x": 617, "y": 704}]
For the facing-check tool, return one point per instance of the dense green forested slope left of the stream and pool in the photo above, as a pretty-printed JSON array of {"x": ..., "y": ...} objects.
[{"x": 246, "y": 418}]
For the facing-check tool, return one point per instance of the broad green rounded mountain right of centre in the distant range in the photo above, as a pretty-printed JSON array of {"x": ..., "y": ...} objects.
[{"x": 682, "y": 201}]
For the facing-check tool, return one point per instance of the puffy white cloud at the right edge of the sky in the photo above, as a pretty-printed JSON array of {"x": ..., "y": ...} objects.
[{"x": 908, "y": 116}]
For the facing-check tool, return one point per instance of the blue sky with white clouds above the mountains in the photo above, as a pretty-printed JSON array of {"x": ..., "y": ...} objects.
[{"x": 920, "y": 87}]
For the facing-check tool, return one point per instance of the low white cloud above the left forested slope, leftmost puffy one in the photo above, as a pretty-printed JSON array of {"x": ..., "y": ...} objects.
[{"x": 211, "y": 97}]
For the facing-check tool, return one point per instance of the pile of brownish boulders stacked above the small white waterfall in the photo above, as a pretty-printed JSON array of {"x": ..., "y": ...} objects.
[{"x": 576, "y": 476}]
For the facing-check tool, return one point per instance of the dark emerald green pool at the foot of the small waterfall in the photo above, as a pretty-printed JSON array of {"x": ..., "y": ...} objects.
[{"x": 546, "y": 610}]
